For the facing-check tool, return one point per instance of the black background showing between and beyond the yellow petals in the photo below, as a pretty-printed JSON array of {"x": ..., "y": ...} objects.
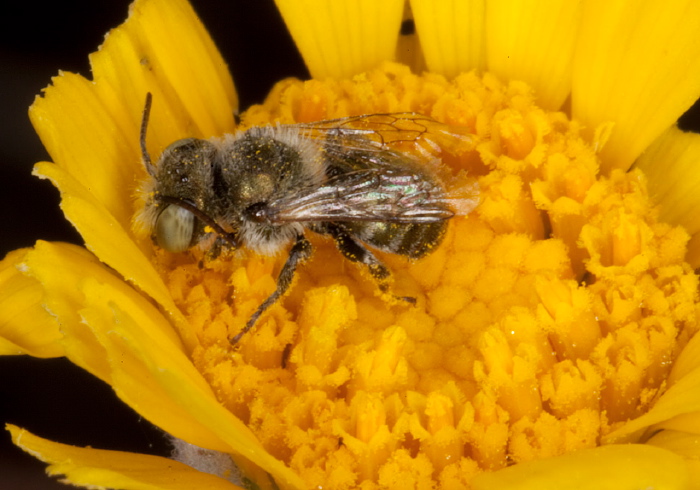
[{"x": 52, "y": 398}]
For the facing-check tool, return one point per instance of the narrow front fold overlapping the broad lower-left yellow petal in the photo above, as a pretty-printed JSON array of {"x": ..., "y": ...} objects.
[{"x": 163, "y": 385}]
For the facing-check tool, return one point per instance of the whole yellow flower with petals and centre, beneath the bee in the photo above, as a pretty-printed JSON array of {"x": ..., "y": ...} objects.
[{"x": 553, "y": 336}]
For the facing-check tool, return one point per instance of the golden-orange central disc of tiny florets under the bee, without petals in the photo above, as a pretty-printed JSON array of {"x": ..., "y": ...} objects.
[{"x": 544, "y": 320}]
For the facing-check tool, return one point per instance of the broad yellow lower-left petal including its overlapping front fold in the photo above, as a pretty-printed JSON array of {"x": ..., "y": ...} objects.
[{"x": 113, "y": 332}]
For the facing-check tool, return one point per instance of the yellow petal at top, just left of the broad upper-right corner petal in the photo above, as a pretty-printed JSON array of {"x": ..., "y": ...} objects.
[{"x": 534, "y": 43}]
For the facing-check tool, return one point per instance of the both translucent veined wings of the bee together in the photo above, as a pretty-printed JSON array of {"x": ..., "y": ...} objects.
[{"x": 373, "y": 163}]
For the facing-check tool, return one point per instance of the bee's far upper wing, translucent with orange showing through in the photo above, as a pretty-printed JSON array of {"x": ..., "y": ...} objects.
[{"x": 403, "y": 131}]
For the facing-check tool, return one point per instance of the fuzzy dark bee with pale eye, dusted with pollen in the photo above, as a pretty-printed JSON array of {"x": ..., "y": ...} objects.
[{"x": 263, "y": 188}]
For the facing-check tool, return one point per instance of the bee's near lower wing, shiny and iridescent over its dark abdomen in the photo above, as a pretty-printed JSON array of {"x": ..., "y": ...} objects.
[{"x": 376, "y": 194}]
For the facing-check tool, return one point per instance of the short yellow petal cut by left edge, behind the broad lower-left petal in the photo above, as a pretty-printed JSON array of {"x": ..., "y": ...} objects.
[{"x": 25, "y": 326}]
